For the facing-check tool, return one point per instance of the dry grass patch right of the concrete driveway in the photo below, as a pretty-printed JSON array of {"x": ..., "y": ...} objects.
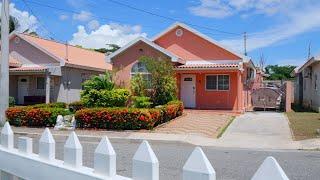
[{"x": 304, "y": 125}]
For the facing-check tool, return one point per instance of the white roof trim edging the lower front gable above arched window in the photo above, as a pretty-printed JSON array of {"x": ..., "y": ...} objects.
[{"x": 147, "y": 41}]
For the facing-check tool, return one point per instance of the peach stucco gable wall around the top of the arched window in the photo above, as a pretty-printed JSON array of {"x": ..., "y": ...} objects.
[{"x": 123, "y": 63}]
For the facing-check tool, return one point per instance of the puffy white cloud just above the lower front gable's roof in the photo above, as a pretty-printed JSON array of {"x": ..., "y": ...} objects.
[{"x": 106, "y": 34}]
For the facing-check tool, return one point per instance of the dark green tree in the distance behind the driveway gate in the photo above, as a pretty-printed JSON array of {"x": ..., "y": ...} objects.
[{"x": 277, "y": 72}]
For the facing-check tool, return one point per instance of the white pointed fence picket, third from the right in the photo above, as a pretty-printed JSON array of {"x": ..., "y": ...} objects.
[{"x": 145, "y": 165}]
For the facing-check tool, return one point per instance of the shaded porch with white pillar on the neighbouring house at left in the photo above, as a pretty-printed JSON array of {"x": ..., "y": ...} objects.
[{"x": 33, "y": 85}]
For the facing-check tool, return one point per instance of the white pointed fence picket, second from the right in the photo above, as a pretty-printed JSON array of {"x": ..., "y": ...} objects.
[{"x": 198, "y": 167}]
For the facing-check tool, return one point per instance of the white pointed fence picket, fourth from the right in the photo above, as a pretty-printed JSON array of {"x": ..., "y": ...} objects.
[{"x": 105, "y": 158}]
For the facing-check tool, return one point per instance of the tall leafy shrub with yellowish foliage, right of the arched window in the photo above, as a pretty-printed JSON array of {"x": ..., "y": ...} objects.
[{"x": 163, "y": 80}]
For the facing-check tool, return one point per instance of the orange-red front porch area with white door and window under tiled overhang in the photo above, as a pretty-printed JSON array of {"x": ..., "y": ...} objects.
[{"x": 219, "y": 89}]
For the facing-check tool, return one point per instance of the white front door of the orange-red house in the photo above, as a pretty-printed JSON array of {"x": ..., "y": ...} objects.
[{"x": 188, "y": 90}]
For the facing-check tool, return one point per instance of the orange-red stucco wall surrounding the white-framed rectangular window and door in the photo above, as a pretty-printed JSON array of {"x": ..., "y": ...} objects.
[{"x": 228, "y": 100}]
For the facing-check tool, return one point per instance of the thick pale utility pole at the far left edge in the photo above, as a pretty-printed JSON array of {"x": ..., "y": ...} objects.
[{"x": 4, "y": 69}]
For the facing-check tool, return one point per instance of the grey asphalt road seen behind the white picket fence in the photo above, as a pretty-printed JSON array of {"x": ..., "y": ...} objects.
[{"x": 228, "y": 163}]
